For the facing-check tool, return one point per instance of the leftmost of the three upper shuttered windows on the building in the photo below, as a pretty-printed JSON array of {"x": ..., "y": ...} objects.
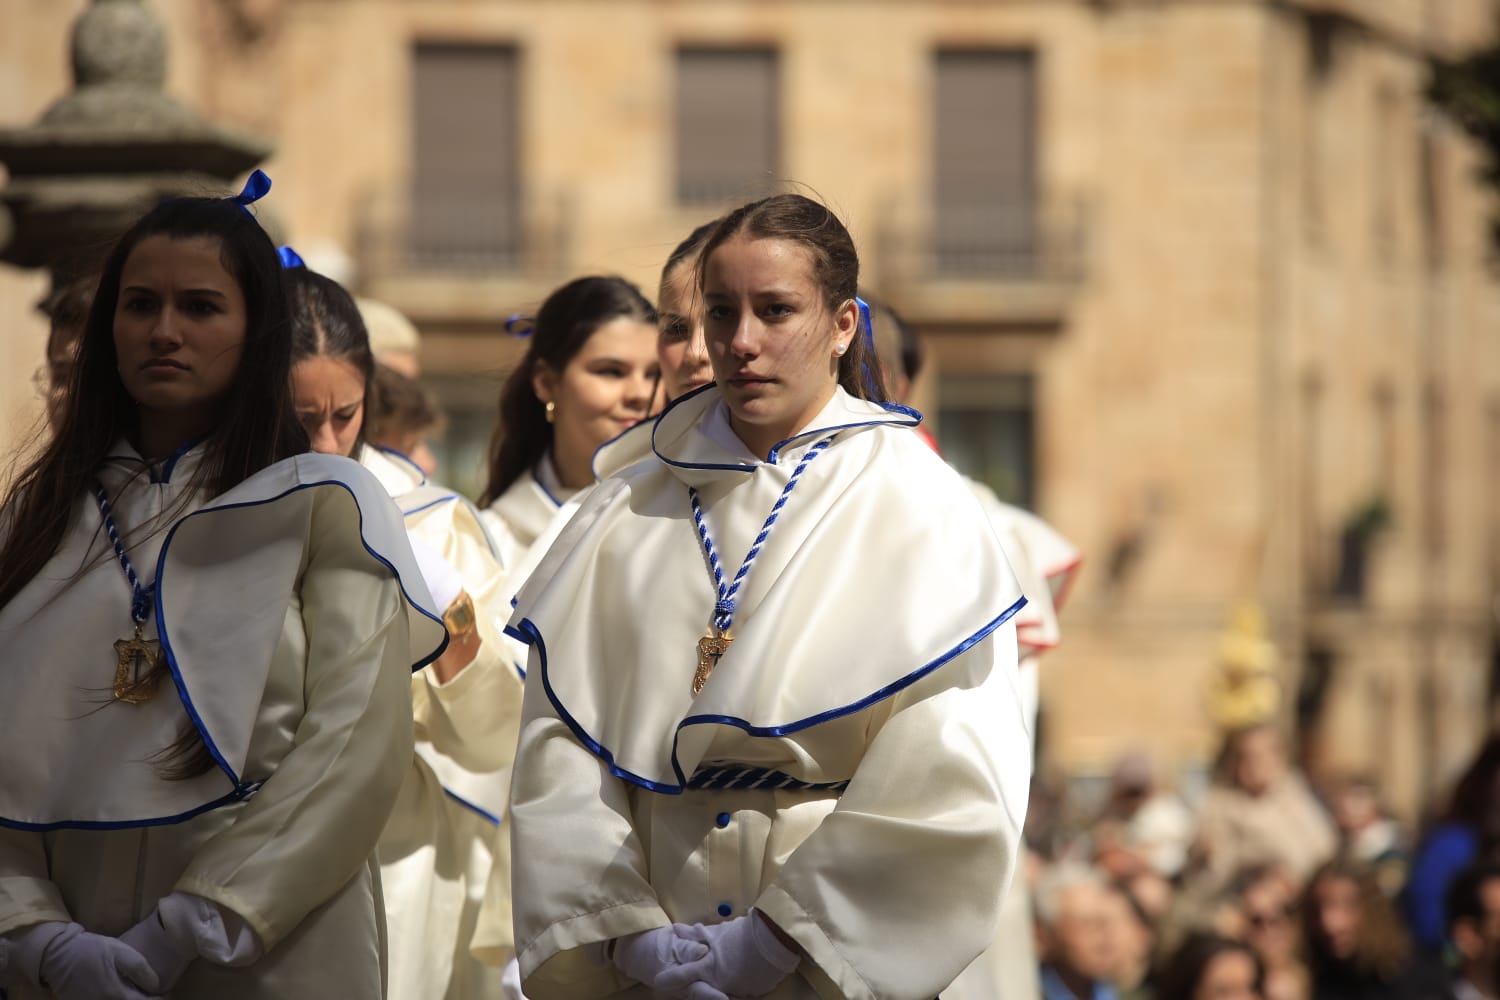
[{"x": 466, "y": 197}]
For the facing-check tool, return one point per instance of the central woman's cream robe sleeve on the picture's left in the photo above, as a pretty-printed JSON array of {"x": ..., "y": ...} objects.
[{"x": 569, "y": 815}]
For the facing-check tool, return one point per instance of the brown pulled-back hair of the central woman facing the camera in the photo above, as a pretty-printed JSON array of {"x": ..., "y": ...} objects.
[{"x": 836, "y": 269}]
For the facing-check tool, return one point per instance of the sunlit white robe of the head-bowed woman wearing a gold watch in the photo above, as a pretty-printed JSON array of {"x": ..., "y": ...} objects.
[{"x": 445, "y": 836}]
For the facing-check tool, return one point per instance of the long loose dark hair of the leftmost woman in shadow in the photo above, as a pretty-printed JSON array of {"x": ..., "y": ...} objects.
[{"x": 257, "y": 424}]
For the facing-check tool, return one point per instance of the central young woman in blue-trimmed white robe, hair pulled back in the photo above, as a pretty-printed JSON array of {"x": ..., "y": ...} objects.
[{"x": 772, "y": 741}]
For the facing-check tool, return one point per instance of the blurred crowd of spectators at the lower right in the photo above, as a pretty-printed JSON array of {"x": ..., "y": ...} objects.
[{"x": 1268, "y": 891}]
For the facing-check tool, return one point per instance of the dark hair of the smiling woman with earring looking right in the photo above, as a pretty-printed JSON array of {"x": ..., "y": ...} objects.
[{"x": 566, "y": 322}]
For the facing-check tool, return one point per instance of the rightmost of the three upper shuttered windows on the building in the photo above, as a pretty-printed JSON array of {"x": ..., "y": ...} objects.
[{"x": 985, "y": 173}]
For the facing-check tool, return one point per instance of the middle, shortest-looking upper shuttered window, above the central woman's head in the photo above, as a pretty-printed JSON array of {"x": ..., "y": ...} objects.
[{"x": 728, "y": 124}]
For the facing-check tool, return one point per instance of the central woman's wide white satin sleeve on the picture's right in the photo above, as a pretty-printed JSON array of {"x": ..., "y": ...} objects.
[{"x": 901, "y": 887}]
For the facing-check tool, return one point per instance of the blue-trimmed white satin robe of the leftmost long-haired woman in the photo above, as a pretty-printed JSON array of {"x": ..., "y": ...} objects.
[{"x": 293, "y": 614}]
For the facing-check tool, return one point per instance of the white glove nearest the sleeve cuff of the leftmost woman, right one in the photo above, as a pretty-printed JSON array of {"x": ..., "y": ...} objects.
[{"x": 185, "y": 927}]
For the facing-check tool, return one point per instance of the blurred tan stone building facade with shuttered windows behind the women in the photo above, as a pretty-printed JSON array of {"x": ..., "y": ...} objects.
[{"x": 1205, "y": 283}]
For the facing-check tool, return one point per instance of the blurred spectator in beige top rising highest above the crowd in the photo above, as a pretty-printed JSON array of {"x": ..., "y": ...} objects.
[{"x": 1261, "y": 812}]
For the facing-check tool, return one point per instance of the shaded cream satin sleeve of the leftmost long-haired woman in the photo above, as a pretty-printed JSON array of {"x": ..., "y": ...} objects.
[{"x": 314, "y": 824}]
